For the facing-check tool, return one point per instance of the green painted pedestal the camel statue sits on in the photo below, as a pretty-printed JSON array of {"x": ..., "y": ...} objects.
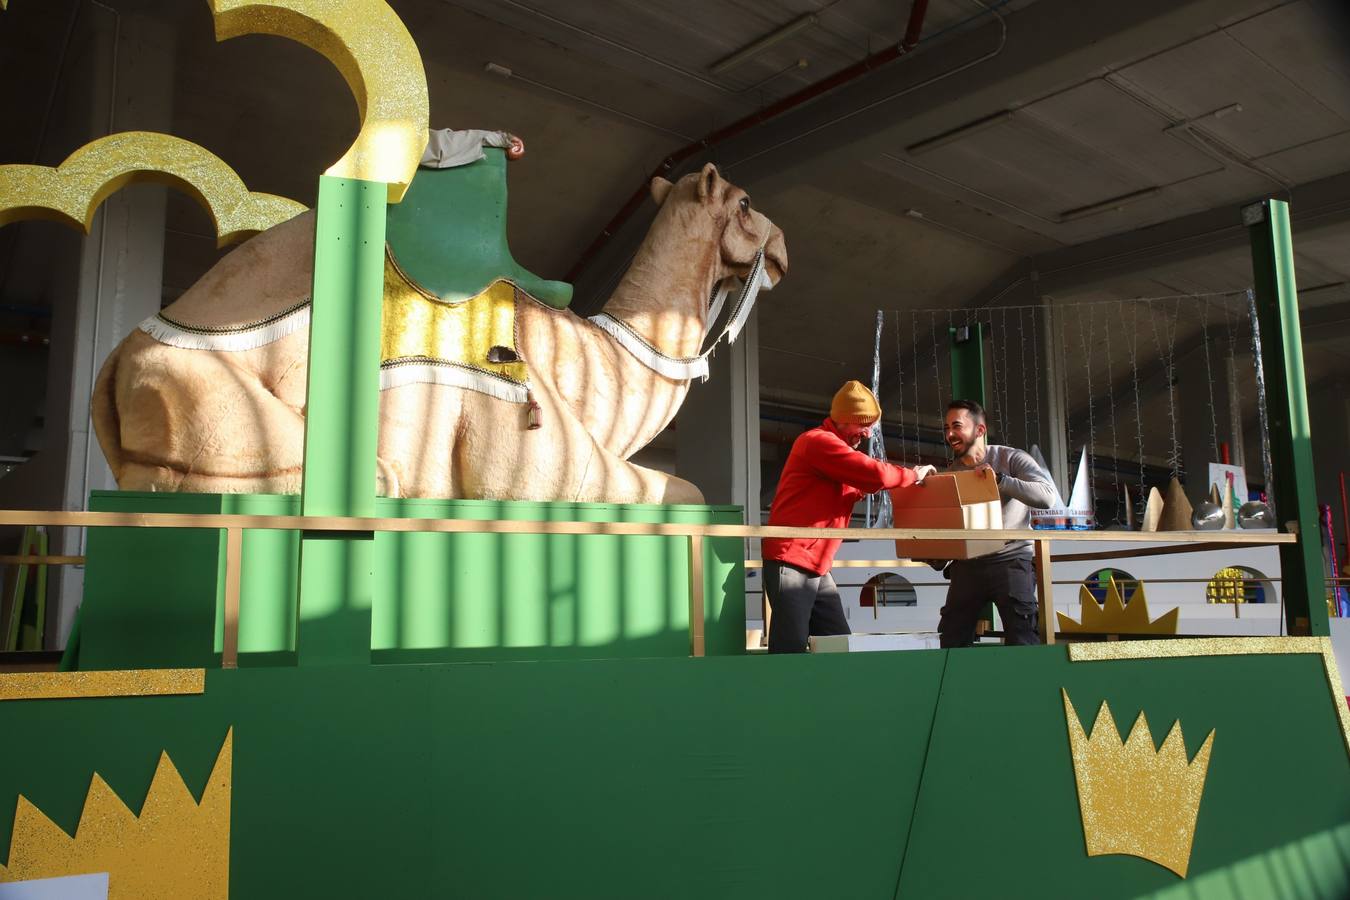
[{"x": 155, "y": 597}]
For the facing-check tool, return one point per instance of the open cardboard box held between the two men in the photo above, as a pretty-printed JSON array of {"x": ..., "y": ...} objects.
[{"x": 952, "y": 500}]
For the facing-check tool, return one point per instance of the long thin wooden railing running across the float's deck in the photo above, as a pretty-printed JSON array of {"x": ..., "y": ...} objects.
[{"x": 234, "y": 527}]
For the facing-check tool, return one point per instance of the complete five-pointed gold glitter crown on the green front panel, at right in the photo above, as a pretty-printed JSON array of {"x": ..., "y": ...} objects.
[{"x": 1135, "y": 799}]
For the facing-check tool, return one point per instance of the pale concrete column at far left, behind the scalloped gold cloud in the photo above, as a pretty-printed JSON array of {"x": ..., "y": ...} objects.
[{"x": 118, "y": 281}]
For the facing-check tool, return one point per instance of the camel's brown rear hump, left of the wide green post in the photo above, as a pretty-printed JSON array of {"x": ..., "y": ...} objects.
[{"x": 268, "y": 275}]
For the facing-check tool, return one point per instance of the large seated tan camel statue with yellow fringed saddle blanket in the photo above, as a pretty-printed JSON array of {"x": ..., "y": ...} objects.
[{"x": 210, "y": 396}]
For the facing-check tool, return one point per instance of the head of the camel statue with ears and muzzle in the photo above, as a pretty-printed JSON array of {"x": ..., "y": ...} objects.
[{"x": 705, "y": 195}]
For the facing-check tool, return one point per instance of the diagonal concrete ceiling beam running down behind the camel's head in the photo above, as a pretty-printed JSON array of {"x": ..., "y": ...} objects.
[{"x": 982, "y": 72}]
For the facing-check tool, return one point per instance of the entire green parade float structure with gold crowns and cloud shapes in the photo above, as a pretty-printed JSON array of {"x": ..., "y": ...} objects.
[{"x": 345, "y": 694}]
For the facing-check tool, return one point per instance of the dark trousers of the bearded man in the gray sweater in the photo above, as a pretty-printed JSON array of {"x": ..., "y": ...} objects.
[{"x": 1008, "y": 584}]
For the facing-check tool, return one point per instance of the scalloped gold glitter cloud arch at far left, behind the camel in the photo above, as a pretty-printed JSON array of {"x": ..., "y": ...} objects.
[{"x": 74, "y": 191}]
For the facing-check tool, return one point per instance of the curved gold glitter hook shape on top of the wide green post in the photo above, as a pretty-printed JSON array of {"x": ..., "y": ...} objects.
[{"x": 375, "y": 53}]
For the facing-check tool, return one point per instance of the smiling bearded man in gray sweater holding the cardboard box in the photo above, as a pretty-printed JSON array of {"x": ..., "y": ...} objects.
[{"x": 1005, "y": 578}]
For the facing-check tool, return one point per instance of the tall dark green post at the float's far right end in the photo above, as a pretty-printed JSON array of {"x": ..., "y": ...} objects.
[{"x": 1287, "y": 400}]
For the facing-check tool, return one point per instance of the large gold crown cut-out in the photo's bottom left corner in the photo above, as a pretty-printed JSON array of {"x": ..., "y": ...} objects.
[{"x": 176, "y": 848}]
